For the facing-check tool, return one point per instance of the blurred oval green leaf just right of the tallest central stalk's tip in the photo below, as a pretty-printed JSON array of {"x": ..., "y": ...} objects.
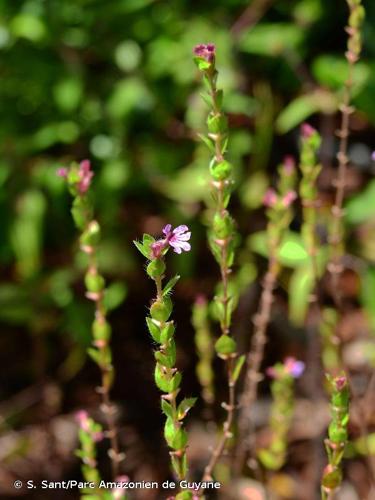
[{"x": 272, "y": 39}]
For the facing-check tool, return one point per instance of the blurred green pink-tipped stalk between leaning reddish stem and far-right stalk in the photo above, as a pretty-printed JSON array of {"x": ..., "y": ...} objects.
[{"x": 310, "y": 170}]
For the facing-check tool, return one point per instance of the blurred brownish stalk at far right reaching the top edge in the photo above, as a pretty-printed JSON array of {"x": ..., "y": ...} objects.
[{"x": 354, "y": 47}]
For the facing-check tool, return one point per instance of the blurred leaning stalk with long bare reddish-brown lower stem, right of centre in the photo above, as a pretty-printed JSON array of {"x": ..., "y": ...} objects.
[{"x": 279, "y": 215}]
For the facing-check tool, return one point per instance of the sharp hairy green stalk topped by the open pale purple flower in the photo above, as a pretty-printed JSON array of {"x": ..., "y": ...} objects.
[{"x": 162, "y": 329}]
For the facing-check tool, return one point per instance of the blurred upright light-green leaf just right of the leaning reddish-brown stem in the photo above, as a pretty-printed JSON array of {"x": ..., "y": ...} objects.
[{"x": 300, "y": 288}]
